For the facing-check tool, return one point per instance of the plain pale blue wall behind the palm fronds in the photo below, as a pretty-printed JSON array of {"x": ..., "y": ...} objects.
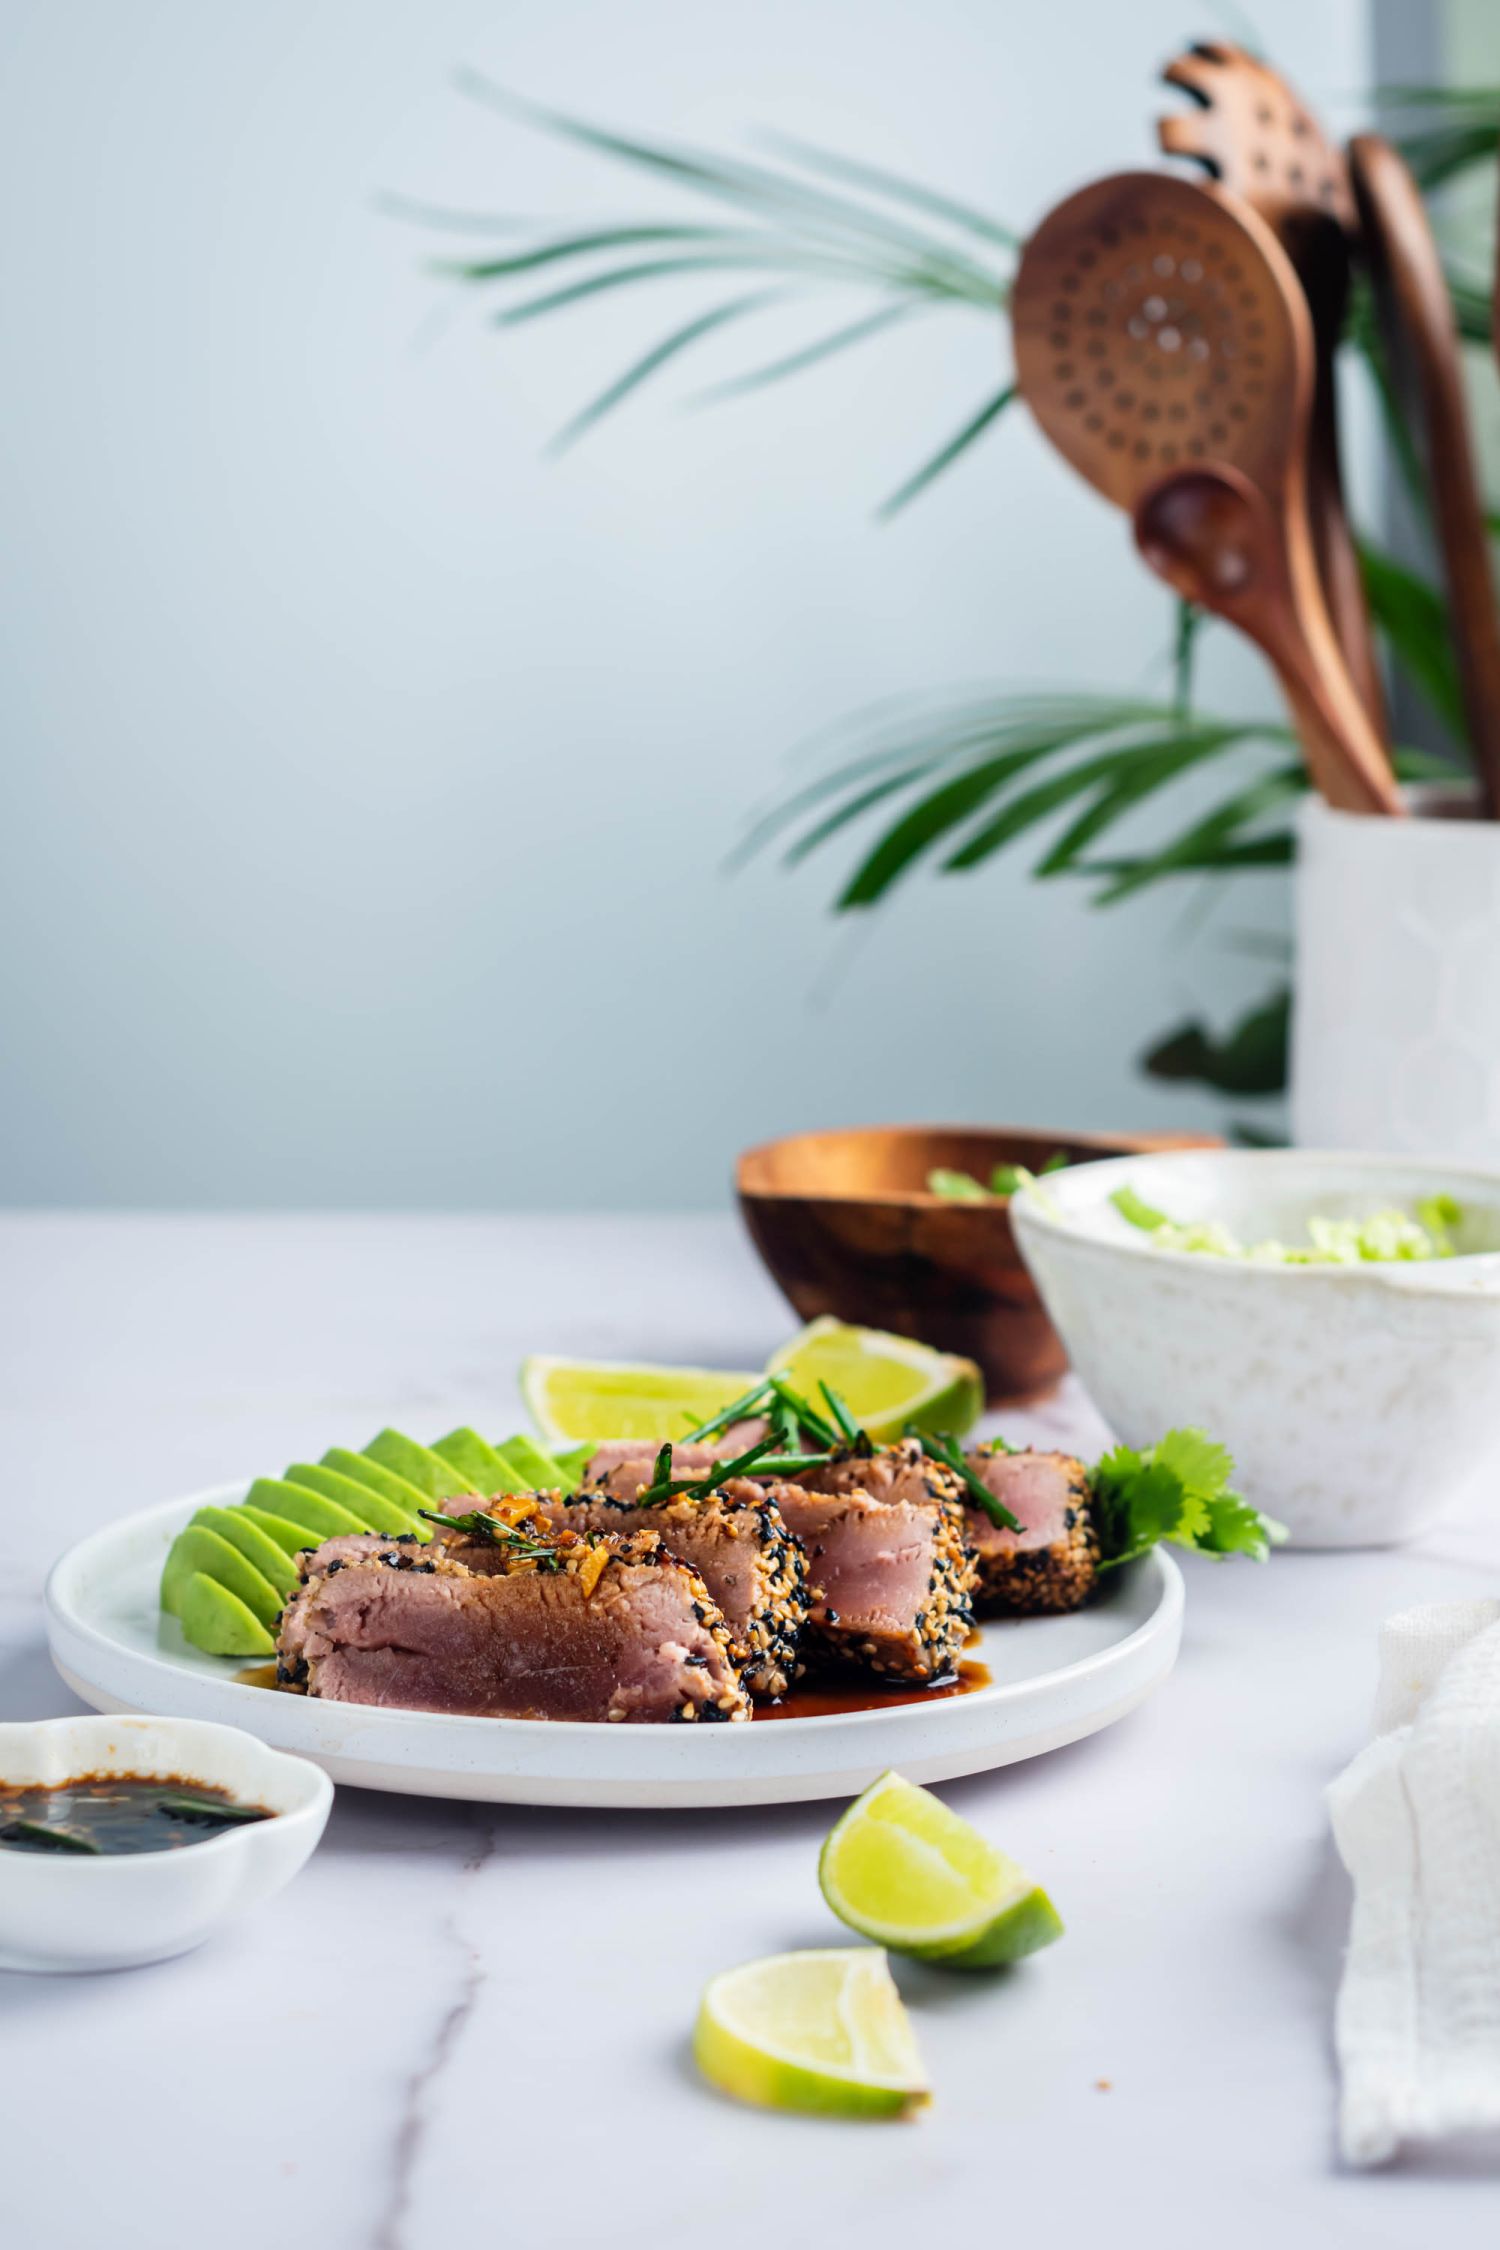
[{"x": 368, "y": 775}]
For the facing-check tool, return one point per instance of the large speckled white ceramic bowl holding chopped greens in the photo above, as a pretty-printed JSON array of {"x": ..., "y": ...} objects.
[{"x": 1359, "y": 1403}]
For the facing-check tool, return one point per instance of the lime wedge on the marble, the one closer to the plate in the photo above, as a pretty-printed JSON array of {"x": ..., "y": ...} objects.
[{"x": 916, "y": 1878}]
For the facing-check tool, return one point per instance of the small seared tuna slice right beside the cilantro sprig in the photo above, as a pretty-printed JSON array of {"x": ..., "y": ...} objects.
[{"x": 1054, "y": 1560}]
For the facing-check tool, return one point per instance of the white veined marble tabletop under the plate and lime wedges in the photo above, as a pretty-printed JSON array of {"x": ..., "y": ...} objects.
[{"x": 467, "y": 2026}]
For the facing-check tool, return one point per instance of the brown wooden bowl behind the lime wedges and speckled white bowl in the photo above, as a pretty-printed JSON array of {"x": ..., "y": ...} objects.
[{"x": 847, "y": 1225}]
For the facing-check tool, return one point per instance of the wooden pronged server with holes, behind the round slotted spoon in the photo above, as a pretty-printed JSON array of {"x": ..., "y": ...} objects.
[{"x": 1265, "y": 147}]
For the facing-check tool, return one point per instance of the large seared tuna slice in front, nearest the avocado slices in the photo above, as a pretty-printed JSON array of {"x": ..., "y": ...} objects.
[{"x": 554, "y": 1628}]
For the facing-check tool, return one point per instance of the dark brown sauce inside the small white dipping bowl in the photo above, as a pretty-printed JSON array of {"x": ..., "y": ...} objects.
[{"x": 107, "y": 1815}]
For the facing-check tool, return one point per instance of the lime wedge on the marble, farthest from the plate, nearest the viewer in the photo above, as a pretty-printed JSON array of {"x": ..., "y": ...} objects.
[{"x": 813, "y": 2033}]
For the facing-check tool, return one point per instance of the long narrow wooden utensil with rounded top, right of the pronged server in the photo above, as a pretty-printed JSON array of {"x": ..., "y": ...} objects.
[{"x": 1422, "y": 345}]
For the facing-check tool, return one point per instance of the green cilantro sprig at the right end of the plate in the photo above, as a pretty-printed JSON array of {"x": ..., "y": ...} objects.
[{"x": 1180, "y": 1491}]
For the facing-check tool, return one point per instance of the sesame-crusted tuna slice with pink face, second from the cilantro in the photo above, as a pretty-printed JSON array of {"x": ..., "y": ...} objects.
[{"x": 894, "y": 1576}]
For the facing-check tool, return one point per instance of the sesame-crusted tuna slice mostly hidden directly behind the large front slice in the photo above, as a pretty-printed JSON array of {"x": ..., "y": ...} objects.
[{"x": 746, "y": 1556}]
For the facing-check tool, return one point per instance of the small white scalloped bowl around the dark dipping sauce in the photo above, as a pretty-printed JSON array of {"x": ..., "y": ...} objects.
[{"x": 127, "y": 1909}]
